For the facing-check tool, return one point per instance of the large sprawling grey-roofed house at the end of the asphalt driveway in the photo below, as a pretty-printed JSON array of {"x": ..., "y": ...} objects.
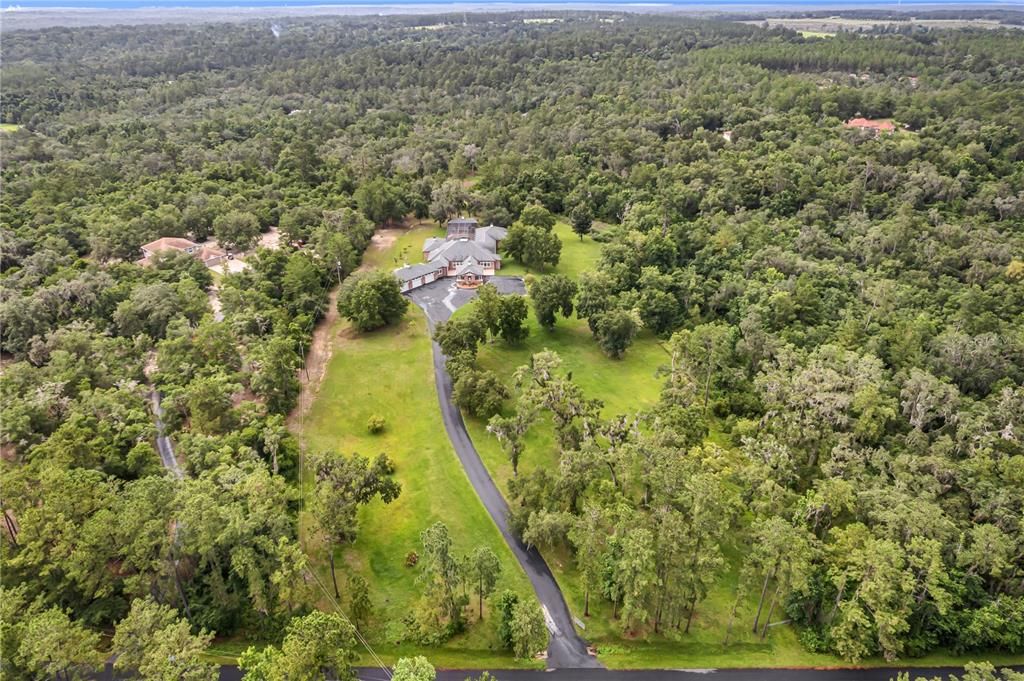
[{"x": 468, "y": 252}]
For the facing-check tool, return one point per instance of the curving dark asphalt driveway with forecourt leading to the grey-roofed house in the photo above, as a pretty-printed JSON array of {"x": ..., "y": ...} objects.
[{"x": 567, "y": 650}]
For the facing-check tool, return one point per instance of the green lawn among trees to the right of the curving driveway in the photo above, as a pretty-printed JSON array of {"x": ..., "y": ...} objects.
[{"x": 625, "y": 387}]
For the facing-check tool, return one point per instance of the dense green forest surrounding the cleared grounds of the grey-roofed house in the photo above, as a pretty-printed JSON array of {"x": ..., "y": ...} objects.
[{"x": 845, "y": 309}]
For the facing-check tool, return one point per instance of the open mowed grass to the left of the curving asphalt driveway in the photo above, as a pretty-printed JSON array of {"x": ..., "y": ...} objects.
[{"x": 390, "y": 373}]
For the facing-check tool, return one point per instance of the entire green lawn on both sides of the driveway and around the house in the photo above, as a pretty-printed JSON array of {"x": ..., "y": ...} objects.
[{"x": 390, "y": 373}]
